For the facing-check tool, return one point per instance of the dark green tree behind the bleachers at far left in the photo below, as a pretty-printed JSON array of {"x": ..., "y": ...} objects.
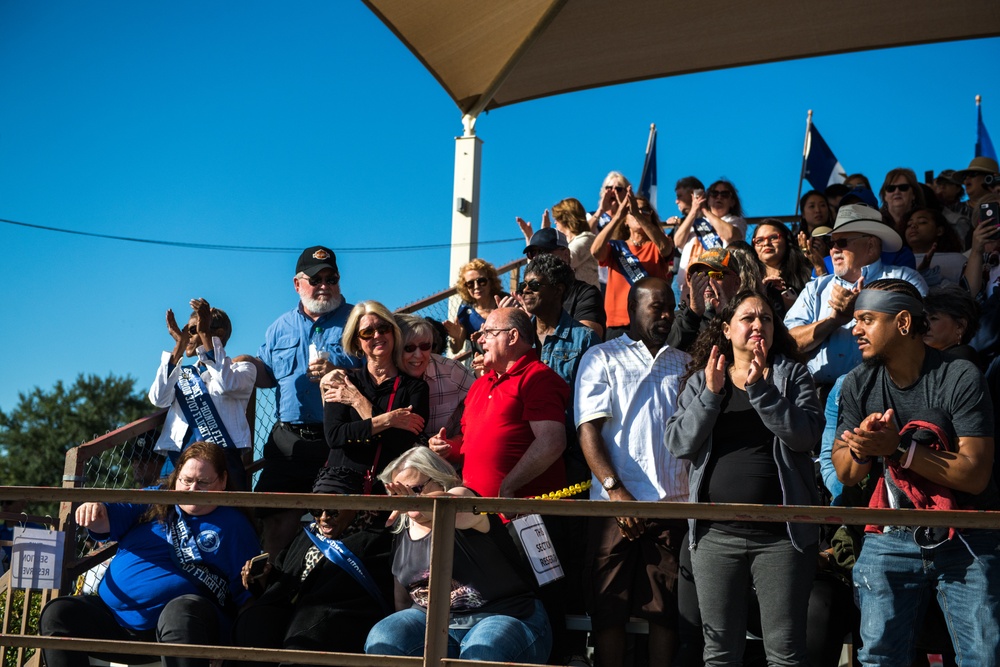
[{"x": 35, "y": 435}]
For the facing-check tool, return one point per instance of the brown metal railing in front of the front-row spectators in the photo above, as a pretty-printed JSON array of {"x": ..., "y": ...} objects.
[{"x": 442, "y": 545}]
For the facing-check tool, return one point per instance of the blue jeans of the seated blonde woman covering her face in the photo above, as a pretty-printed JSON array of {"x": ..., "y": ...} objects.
[{"x": 496, "y": 638}]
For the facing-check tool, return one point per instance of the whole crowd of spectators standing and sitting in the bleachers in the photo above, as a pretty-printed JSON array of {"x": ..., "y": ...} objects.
[{"x": 692, "y": 358}]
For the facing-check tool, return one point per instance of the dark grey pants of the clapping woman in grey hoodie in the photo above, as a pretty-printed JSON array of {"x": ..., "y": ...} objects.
[{"x": 725, "y": 566}]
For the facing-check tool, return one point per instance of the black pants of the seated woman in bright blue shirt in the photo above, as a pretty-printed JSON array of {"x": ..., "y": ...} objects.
[{"x": 188, "y": 619}]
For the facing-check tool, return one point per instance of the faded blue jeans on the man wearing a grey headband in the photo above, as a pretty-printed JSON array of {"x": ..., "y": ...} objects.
[{"x": 894, "y": 579}]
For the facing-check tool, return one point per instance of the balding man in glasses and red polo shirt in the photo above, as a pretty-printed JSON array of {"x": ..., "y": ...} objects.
[{"x": 513, "y": 427}]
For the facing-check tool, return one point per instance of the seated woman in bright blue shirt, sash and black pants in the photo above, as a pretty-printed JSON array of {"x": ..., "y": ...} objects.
[{"x": 176, "y": 577}]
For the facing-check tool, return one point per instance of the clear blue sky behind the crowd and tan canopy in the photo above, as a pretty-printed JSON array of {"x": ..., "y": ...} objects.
[{"x": 292, "y": 124}]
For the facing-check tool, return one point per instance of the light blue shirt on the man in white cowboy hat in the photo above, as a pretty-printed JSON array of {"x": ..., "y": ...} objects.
[{"x": 838, "y": 354}]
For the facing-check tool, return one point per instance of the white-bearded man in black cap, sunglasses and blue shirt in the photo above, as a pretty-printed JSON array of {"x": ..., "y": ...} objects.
[{"x": 300, "y": 348}]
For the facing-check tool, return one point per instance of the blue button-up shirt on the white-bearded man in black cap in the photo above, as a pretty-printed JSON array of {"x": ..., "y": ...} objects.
[{"x": 285, "y": 352}]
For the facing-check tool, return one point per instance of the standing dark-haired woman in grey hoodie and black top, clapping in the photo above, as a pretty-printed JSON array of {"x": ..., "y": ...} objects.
[{"x": 748, "y": 418}]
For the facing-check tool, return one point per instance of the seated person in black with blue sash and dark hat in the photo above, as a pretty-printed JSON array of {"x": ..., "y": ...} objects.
[{"x": 313, "y": 599}]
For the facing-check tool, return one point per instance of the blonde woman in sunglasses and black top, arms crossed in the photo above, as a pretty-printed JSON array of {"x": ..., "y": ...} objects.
[{"x": 372, "y": 414}]
